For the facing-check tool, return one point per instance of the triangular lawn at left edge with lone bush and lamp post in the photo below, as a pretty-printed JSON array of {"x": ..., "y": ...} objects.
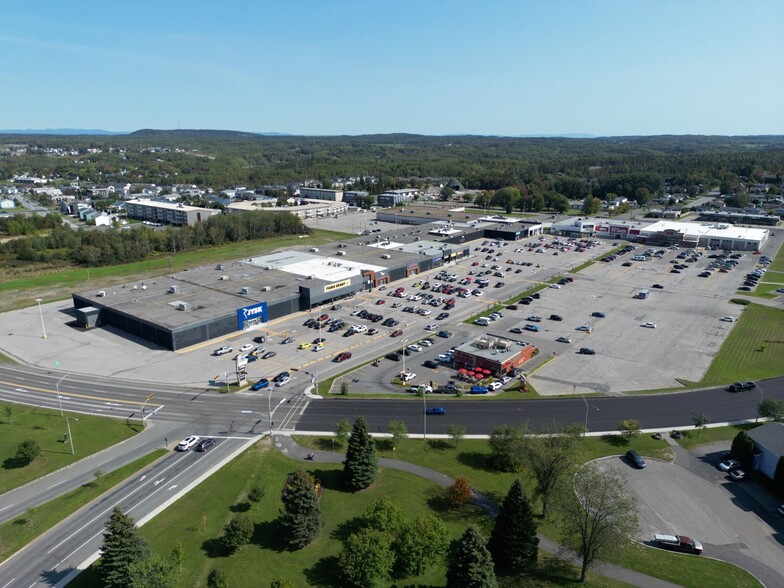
[{"x": 90, "y": 434}]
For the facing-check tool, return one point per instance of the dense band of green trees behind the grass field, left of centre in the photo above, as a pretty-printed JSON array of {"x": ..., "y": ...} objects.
[{"x": 92, "y": 248}]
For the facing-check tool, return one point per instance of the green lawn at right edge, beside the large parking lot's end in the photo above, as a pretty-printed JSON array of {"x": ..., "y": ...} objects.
[{"x": 754, "y": 349}]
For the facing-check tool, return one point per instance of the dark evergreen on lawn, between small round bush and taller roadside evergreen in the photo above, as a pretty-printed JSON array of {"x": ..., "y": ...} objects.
[{"x": 301, "y": 518}]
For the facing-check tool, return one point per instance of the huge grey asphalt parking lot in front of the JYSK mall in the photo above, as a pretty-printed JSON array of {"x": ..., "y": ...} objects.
[{"x": 685, "y": 310}]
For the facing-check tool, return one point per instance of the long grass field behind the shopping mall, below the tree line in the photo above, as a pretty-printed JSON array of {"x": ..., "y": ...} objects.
[{"x": 58, "y": 283}]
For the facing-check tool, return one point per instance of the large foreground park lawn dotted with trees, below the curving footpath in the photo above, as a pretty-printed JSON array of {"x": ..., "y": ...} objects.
[{"x": 197, "y": 520}]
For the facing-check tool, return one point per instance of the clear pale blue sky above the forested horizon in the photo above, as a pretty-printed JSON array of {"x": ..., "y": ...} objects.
[{"x": 419, "y": 66}]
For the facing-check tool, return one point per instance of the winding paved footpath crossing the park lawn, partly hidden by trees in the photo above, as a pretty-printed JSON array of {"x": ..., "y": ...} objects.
[{"x": 288, "y": 446}]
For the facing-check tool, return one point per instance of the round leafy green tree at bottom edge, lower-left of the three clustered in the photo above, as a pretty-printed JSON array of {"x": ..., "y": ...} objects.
[{"x": 367, "y": 557}]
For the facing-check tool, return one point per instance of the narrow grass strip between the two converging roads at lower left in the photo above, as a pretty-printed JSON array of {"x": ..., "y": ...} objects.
[{"x": 19, "y": 532}]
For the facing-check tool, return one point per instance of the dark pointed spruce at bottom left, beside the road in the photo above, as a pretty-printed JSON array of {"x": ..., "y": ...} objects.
[{"x": 122, "y": 547}]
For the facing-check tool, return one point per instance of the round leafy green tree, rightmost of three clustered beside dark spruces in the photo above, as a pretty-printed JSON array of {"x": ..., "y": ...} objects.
[{"x": 419, "y": 546}]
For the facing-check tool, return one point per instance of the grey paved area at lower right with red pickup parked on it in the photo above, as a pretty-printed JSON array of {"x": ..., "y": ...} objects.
[{"x": 673, "y": 500}]
